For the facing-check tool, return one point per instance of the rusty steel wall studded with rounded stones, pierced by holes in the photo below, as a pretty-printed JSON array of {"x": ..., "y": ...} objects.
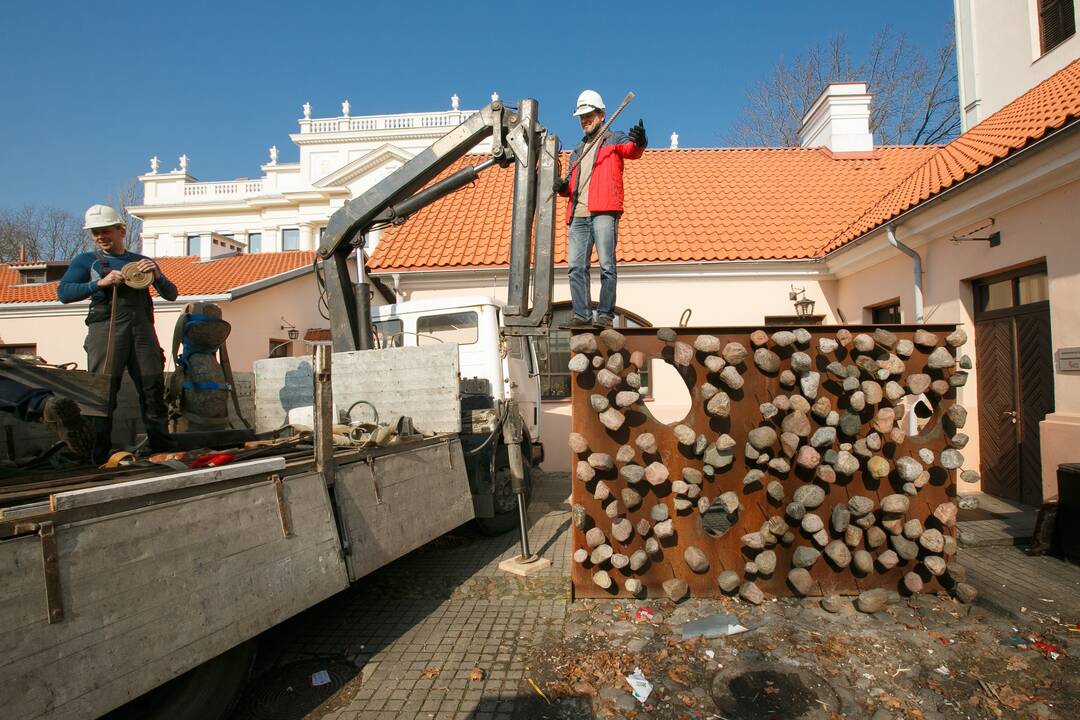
[{"x": 876, "y": 505}]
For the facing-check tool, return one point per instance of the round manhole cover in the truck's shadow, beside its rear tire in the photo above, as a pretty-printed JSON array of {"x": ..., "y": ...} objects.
[{"x": 289, "y": 694}]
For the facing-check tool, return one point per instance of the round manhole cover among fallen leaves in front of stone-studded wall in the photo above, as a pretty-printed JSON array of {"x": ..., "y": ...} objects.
[{"x": 768, "y": 694}]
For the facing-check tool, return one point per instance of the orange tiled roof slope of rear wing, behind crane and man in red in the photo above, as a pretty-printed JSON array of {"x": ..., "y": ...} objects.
[{"x": 682, "y": 206}]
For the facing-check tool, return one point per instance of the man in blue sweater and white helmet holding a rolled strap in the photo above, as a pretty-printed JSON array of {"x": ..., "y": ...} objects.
[{"x": 134, "y": 344}]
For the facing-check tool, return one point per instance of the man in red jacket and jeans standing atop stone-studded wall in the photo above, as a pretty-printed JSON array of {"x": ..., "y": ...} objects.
[{"x": 595, "y": 187}]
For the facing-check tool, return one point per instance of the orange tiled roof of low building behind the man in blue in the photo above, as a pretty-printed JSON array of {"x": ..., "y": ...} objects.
[{"x": 191, "y": 276}]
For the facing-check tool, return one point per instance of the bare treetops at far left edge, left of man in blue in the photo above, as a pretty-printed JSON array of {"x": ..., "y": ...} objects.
[{"x": 40, "y": 234}]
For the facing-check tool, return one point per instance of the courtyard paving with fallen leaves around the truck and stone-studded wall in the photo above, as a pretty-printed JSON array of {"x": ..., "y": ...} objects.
[{"x": 442, "y": 633}]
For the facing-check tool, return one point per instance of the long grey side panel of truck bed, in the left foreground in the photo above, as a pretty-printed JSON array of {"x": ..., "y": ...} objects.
[{"x": 196, "y": 578}]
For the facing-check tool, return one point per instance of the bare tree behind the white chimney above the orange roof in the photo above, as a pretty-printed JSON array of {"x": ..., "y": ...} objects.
[{"x": 915, "y": 97}]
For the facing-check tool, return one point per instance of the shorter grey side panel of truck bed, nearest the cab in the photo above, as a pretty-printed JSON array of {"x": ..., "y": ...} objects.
[{"x": 401, "y": 502}]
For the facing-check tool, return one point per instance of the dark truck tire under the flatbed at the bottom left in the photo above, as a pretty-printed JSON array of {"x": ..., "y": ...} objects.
[{"x": 208, "y": 692}]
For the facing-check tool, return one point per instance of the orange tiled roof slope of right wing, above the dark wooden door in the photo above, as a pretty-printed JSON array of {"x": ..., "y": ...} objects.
[{"x": 1047, "y": 107}]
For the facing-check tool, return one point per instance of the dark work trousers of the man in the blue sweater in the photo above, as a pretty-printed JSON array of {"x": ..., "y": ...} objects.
[{"x": 136, "y": 349}]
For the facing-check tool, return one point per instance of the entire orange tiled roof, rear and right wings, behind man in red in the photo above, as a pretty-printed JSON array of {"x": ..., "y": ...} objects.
[{"x": 737, "y": 205}]
